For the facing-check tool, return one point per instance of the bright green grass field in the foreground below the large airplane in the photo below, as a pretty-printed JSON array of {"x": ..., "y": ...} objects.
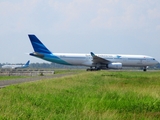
[{"x": 101, "y": 95}]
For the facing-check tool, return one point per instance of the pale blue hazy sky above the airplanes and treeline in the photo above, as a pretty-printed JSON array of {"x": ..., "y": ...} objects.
[{"x": 79, "y": 26}]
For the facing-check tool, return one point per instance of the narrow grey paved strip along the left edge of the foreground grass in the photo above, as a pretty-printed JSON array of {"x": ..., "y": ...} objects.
[{"x": 4, "y": 83}]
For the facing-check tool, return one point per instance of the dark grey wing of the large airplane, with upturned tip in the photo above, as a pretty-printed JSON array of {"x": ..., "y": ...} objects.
[{"x": 100, "y": 60}]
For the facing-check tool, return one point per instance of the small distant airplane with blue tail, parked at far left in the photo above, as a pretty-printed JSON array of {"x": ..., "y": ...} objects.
[{"x": 16, "y": 66}]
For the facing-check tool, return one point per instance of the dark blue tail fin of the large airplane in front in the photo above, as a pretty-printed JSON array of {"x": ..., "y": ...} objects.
[{"x": 38, "y": 46}]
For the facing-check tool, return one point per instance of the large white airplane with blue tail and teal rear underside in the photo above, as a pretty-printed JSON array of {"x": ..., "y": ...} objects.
[{"x": 93, "y": 61}]
